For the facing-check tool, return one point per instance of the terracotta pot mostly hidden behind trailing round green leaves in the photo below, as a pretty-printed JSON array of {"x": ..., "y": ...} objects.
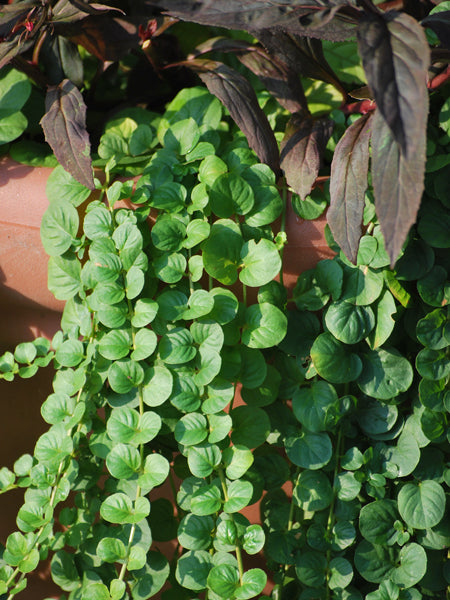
[{"x": 28, "y": 310}]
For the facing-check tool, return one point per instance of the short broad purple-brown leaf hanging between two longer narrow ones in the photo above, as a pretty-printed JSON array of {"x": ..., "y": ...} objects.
[{"x": 301, "y": 151}]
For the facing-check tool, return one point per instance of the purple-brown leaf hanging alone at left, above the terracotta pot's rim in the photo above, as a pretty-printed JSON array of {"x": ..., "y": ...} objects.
[{"x": 64, "y": 125}]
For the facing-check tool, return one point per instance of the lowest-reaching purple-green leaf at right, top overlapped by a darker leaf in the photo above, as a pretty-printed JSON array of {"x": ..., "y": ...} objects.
[{"x": 398, "y": 183}]
